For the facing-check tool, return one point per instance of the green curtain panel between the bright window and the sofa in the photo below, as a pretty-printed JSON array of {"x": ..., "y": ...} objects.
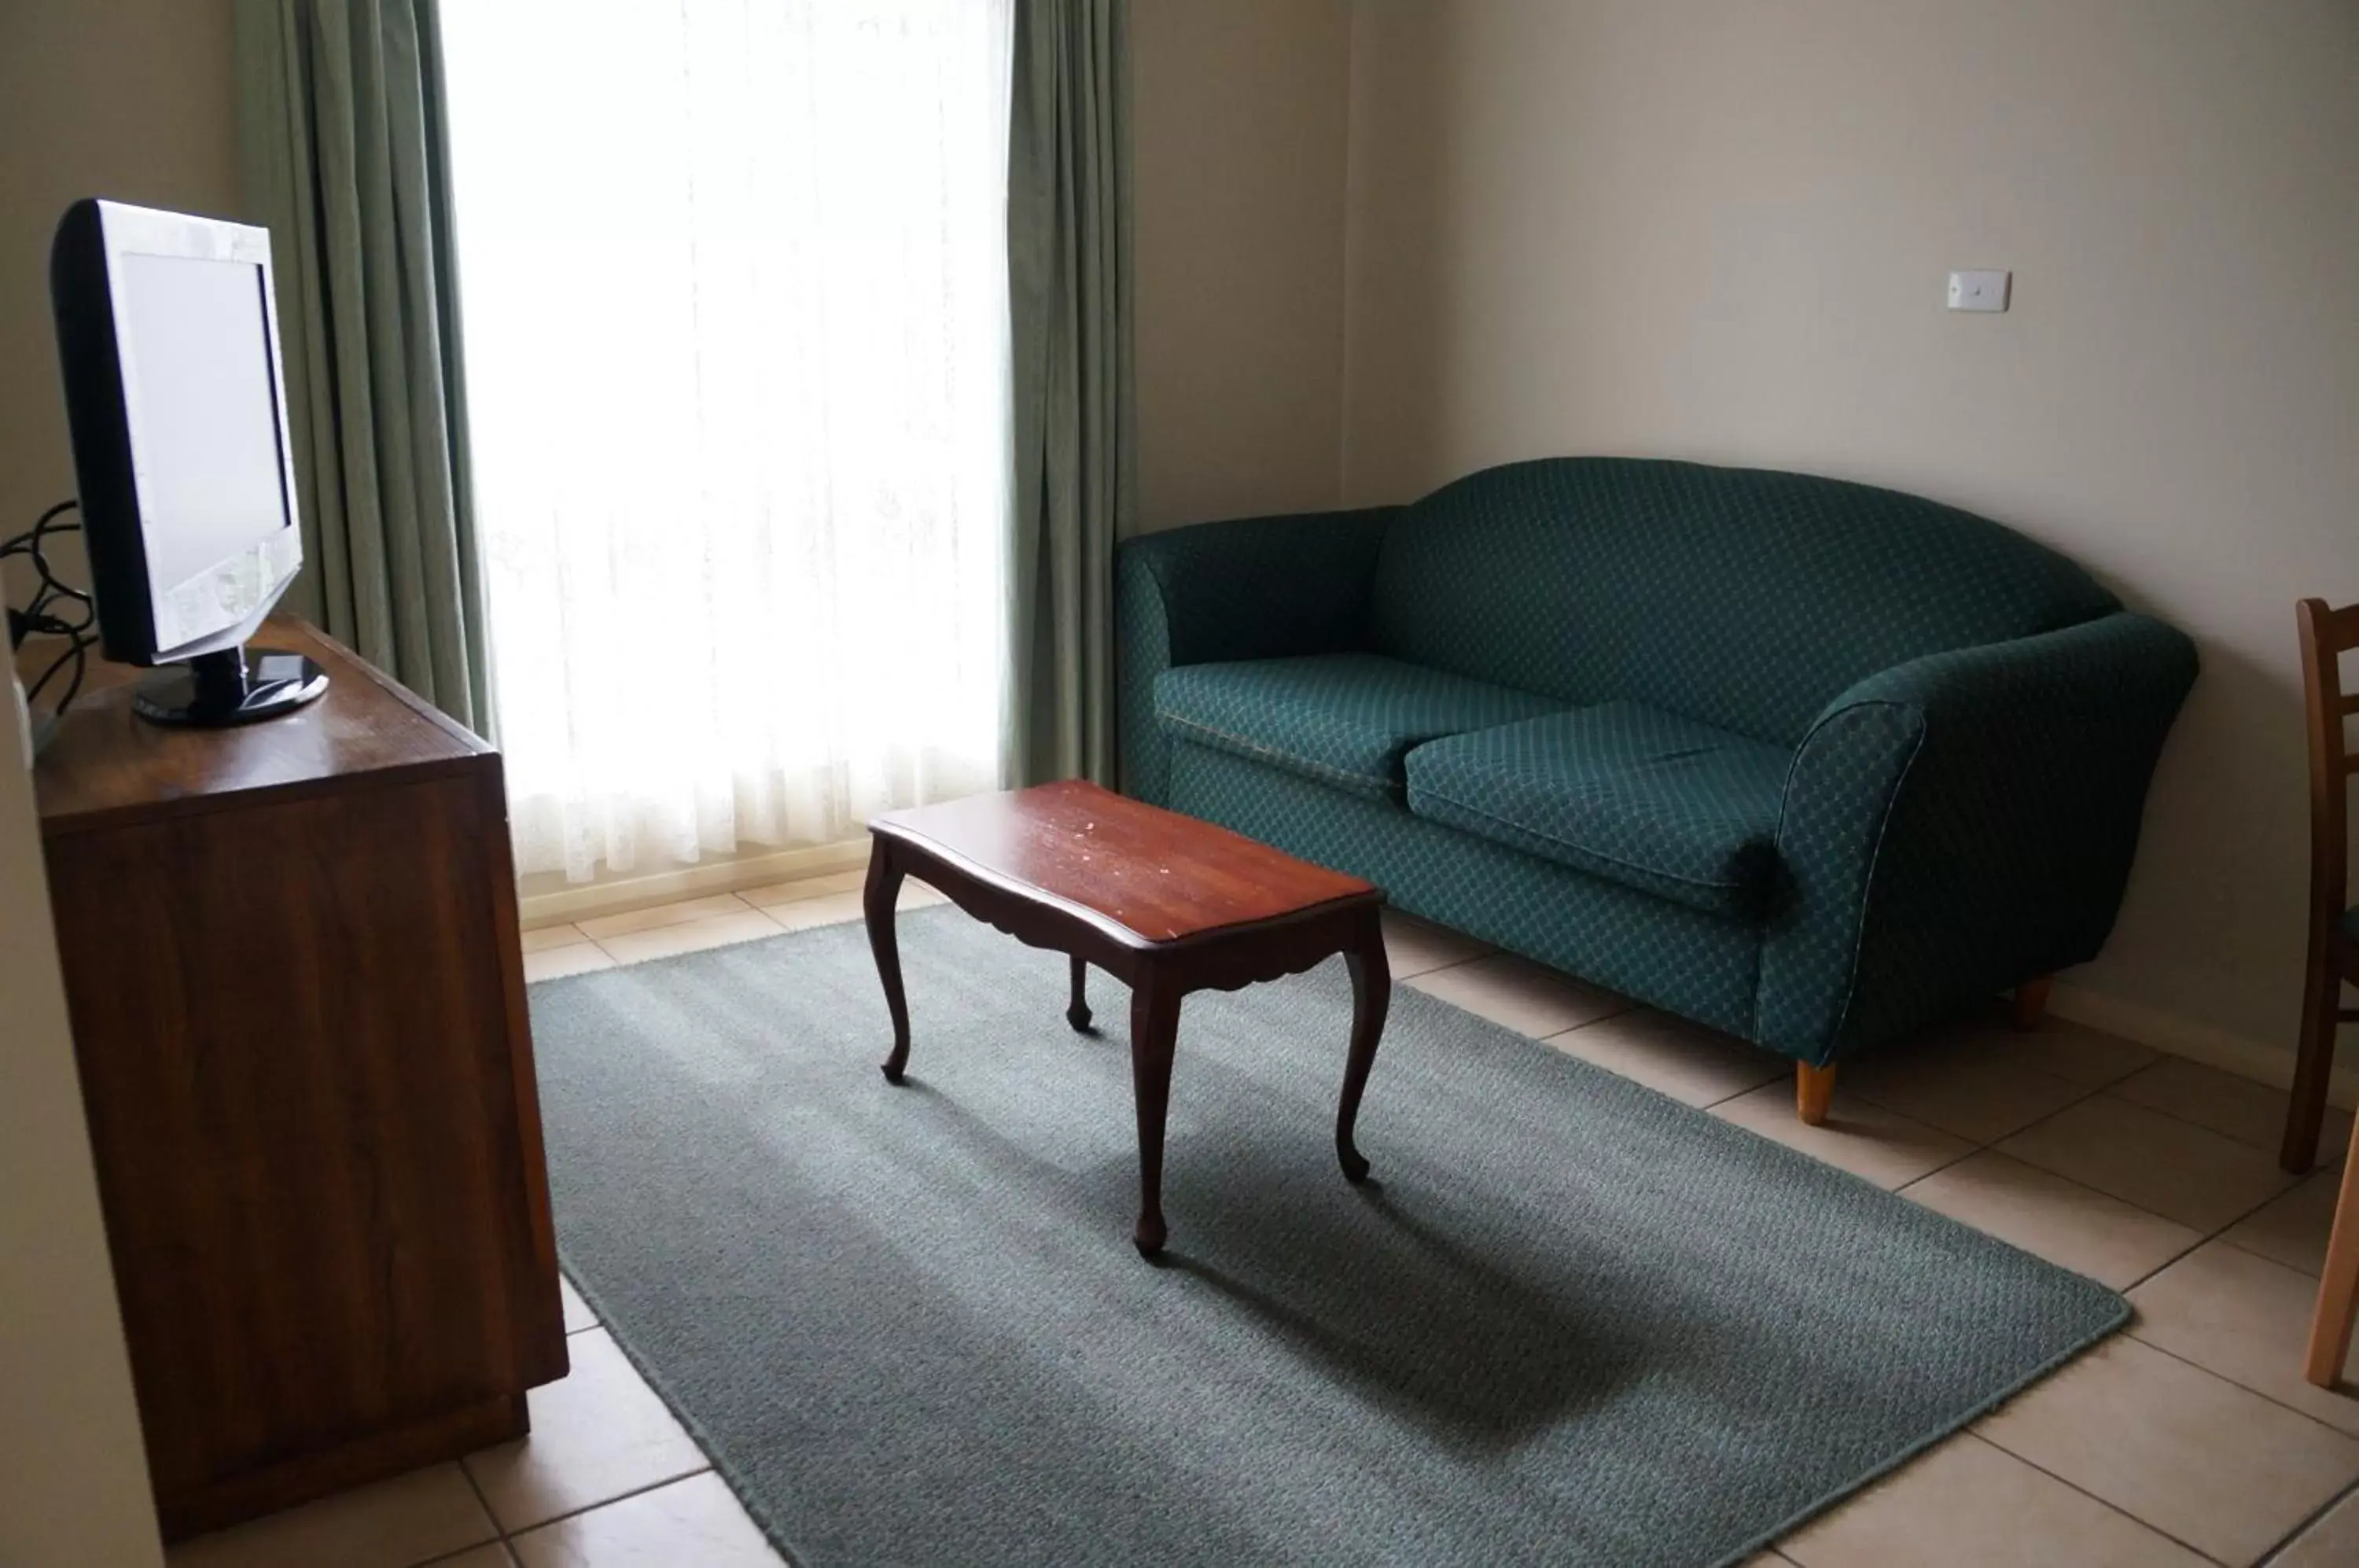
[{"x": 1075, "y": 428}]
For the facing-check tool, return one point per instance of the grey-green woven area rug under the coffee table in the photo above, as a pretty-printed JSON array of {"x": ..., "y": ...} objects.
[{"x": 1568, "y": 1324}]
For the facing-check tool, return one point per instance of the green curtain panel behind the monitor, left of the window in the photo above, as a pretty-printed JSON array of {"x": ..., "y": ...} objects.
[{"x": 341, "y": 129}]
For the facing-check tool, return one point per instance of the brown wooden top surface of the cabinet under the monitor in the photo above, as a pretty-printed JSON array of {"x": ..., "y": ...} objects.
[{"x": 110, "y": 763}]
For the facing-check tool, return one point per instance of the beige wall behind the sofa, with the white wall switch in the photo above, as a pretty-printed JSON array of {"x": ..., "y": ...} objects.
[{"x": 1721, "y": 230}]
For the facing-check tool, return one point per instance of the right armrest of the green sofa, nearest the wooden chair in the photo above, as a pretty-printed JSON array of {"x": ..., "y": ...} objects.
[{"x": 1962, "y": 824}]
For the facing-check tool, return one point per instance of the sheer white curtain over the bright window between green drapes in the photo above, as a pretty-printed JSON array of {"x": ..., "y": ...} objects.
[{"x": 735, "y": 301}]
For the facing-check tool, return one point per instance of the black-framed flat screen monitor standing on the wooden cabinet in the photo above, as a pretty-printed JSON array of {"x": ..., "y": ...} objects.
[{"x": 169, "y": 345}]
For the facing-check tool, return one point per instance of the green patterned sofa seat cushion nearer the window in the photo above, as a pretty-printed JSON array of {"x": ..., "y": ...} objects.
[{"x": 1339, "y": 718}]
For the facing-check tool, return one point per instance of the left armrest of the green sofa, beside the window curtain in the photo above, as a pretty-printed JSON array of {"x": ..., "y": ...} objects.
[{"x": 1251, "y": 588}]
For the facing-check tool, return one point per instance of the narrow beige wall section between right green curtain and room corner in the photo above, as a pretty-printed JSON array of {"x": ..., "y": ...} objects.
[{"x": 1237, "y": 152}]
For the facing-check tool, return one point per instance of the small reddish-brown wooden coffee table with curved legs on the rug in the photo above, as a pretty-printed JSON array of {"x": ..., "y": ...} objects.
[{"x": 1155, "y": 900}]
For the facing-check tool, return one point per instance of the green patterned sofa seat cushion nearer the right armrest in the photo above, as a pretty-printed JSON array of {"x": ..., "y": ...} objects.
[{"x": 1622, "y": 791}]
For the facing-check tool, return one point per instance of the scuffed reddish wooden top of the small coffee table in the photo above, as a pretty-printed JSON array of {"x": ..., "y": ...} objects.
[{"x": 1155, "y": 874}]
